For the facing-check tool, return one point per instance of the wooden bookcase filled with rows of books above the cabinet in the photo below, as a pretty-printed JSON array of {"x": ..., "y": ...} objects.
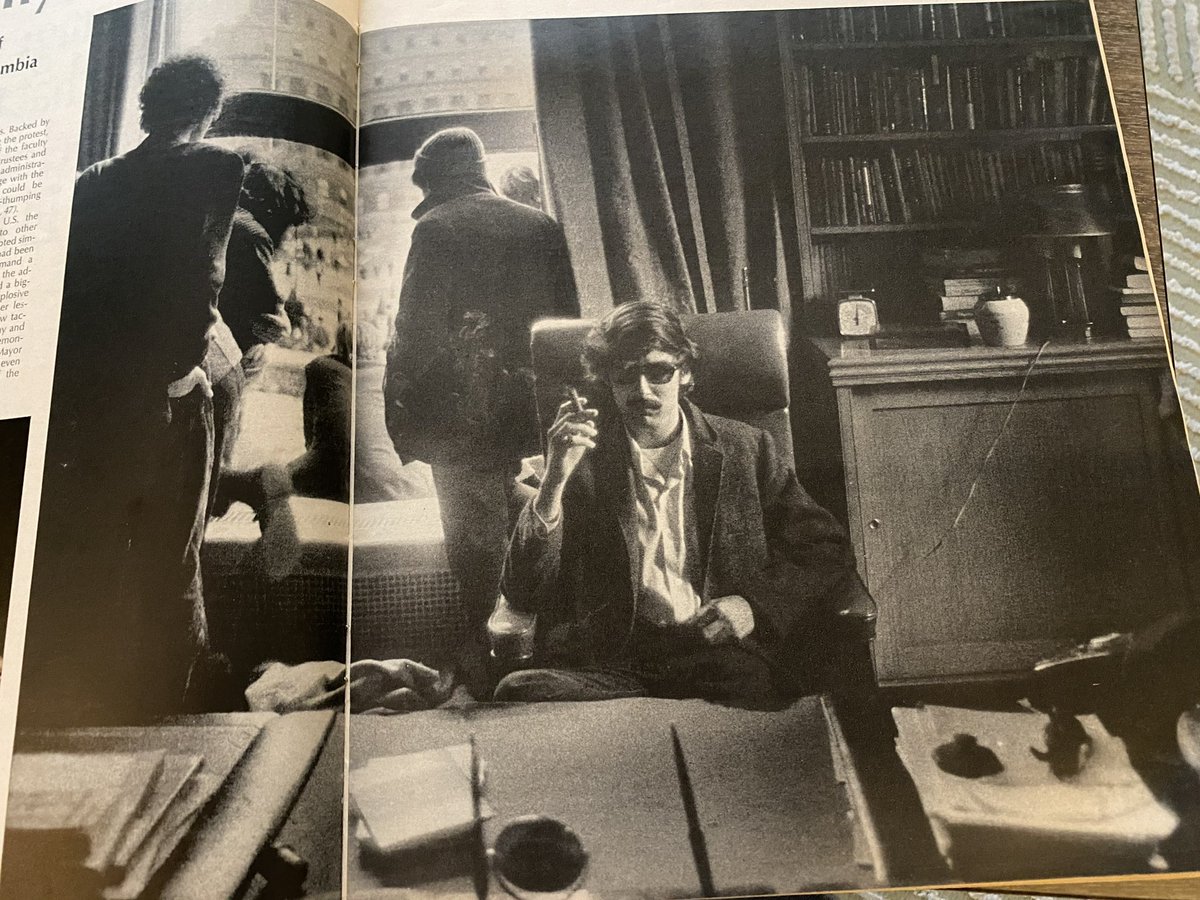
[{"x": 921, "y": 128}]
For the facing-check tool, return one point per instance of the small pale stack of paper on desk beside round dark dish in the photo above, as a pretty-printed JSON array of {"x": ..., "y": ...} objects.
[{"x": 411, "y": 800}]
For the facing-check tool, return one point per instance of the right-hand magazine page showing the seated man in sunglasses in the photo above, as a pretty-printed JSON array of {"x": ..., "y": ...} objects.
[{"x": 826, "y": 524}]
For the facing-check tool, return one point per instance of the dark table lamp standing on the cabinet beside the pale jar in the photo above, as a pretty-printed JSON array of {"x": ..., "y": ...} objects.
[{"x": 1065, "y": 226}]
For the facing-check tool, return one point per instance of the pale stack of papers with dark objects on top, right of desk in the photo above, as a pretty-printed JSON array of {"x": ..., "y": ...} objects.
[{"x": 1106, "y": 812}]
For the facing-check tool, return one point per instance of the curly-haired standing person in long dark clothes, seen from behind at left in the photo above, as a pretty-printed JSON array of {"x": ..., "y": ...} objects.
[{"x": 117, "y": 627}]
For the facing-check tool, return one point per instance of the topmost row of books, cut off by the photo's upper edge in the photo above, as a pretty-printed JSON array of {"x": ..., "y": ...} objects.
[{"x": 944, "y": 21}]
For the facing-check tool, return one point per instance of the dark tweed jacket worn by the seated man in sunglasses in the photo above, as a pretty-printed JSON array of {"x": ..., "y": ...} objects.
[{"x": 760, "y": 536}]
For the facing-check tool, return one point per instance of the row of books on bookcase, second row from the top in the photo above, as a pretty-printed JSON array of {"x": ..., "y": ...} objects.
[{"x": 953, "y": 97}]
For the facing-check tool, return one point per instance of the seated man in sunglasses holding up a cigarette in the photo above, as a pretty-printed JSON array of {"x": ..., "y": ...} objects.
[{"x": 669, "y": 553}]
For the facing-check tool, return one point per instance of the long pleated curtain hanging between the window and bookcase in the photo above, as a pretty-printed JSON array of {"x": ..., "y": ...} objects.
[{"x": 665, "y": 149}]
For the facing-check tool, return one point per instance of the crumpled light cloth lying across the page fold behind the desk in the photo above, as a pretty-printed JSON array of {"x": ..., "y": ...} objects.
[{"x": 382, "y": 687}]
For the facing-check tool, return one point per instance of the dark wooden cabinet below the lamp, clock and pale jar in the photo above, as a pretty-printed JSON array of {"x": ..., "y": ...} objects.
[{"x": 1005, "y": 503}]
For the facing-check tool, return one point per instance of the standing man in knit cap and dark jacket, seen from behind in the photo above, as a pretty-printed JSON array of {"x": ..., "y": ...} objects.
[{"x": 481, "y": 271}]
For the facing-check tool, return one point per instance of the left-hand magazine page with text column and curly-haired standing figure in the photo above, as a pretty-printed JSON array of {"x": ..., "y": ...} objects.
[{"x": 177, "y": 321}]
